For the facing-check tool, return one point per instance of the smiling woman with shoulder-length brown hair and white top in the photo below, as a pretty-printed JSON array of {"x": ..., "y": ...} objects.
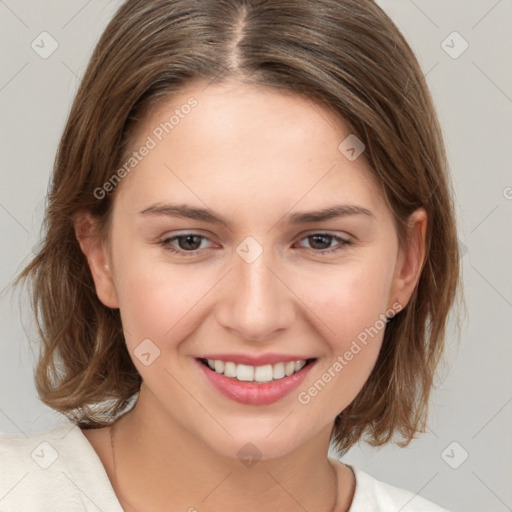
[{"x": 240, "y": 236}]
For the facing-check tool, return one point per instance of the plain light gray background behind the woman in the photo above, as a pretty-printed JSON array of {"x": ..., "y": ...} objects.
[{"x": 473, "y": 93}]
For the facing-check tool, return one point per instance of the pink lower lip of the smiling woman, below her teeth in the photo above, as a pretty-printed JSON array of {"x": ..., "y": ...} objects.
[{"x": 252, "y": 393}]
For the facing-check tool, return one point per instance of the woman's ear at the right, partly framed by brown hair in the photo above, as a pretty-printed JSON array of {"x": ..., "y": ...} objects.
[{"x": 410, "y": 259}]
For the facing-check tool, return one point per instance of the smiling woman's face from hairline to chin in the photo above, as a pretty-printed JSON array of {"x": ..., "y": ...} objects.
[{"x": 269, "y": 280}]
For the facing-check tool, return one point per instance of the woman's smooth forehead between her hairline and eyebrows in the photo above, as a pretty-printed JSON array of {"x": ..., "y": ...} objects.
[{"x": 244, "y": 146}]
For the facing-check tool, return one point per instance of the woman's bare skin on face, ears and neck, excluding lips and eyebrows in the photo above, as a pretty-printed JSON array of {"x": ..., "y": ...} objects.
[{"x": 252, "y": 155}]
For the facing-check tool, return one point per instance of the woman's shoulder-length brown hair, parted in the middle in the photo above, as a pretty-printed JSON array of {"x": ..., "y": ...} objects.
[{"x": 344, "y": 54}]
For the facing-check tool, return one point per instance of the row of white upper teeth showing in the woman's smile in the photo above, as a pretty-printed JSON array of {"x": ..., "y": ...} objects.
[{"x": 265, "y": 373}]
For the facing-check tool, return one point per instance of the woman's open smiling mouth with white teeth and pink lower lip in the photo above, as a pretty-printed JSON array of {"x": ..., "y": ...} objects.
[{"x": 255, "y": 385}]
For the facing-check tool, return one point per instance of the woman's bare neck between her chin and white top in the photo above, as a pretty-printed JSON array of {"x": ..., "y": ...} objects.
[{"x": 160, "y": 466}]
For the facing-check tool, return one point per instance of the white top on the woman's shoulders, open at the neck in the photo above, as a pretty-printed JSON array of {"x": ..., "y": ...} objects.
[{"x": 59, "y": 471}]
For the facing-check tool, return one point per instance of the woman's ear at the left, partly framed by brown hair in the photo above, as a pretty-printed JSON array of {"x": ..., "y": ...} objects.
[{"x": 95, "y": 250}]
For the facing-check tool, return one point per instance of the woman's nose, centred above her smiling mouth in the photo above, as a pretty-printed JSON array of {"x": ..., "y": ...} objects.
[{"x": 256, "y": 301}]
